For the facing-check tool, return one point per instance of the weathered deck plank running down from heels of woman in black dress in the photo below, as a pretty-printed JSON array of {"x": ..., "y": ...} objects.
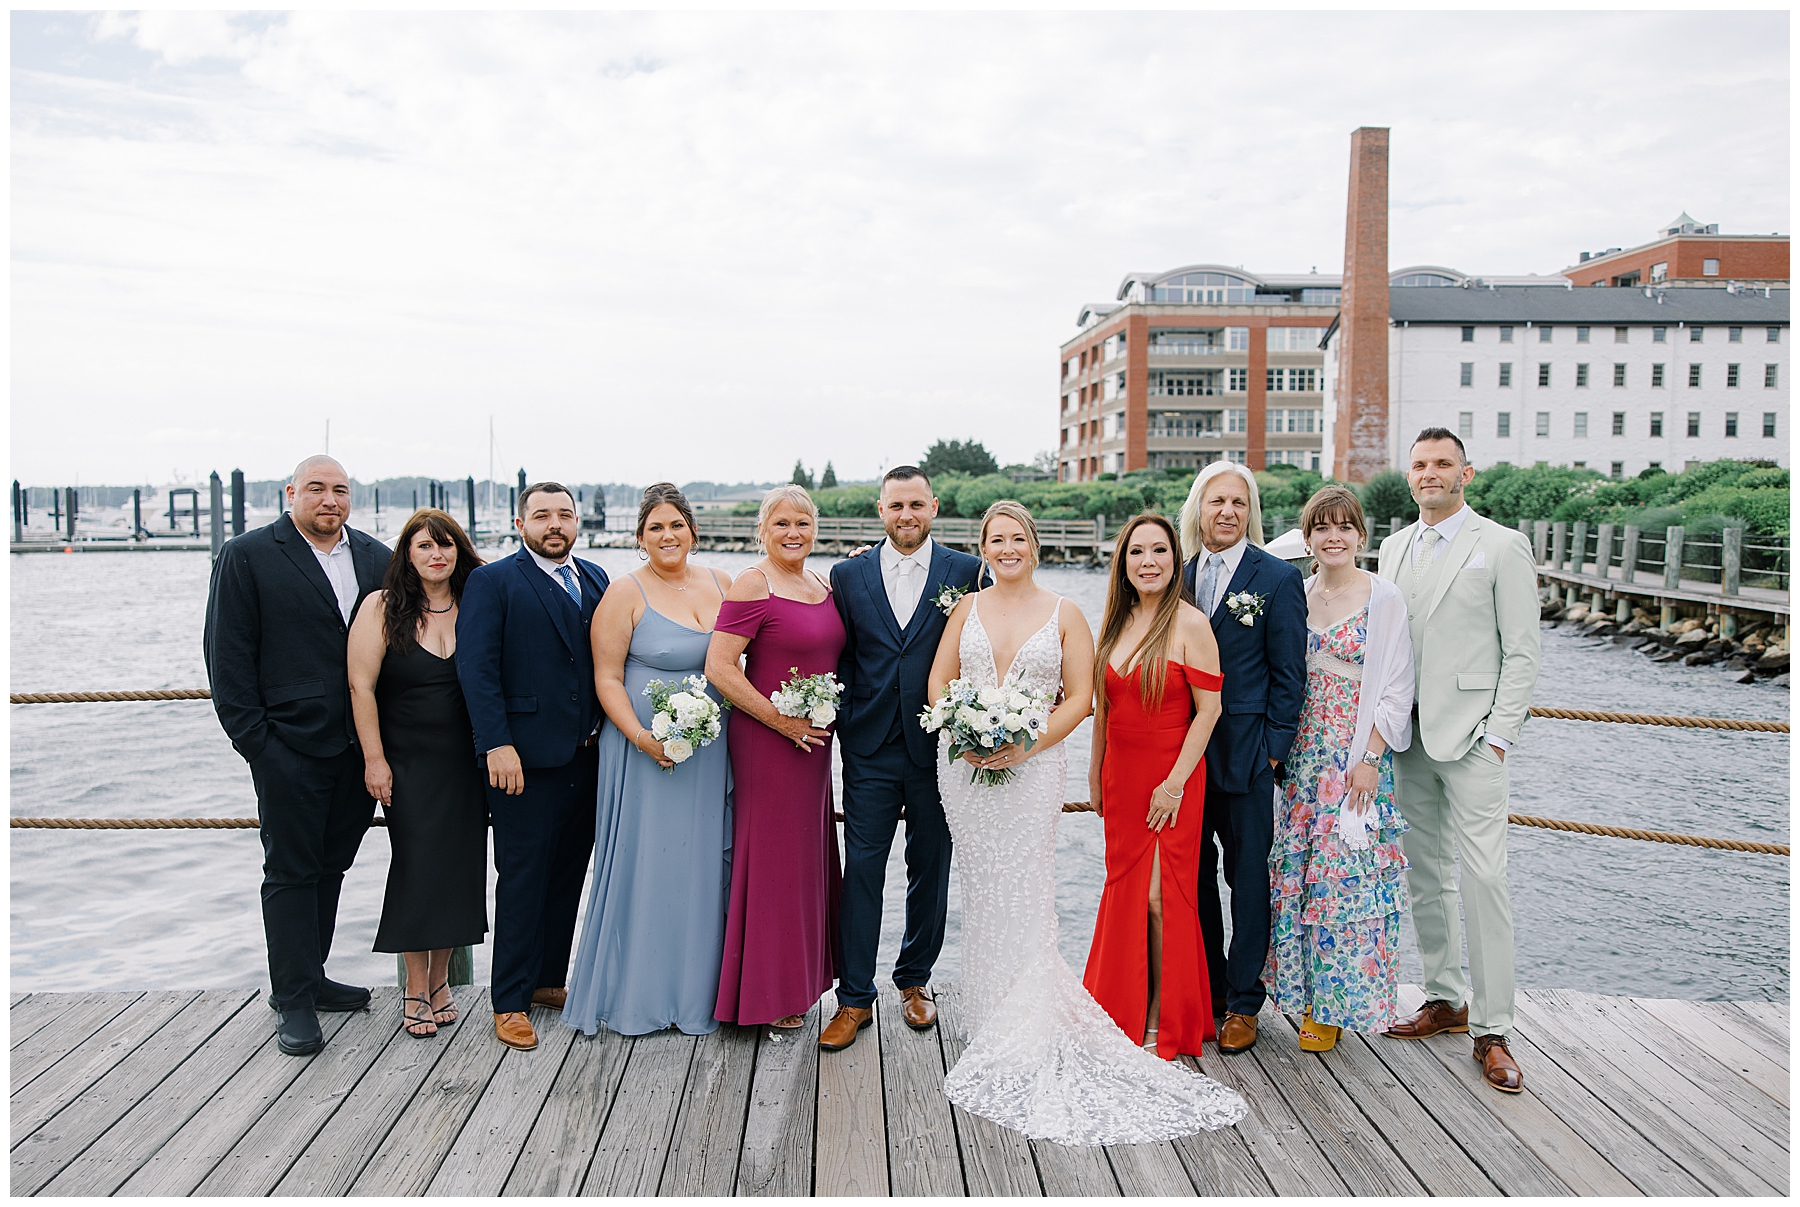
[{"x": 337, "y": 1156}]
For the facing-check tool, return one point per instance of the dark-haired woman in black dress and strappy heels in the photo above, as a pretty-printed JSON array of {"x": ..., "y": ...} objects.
[{"x": 420, "y": 762}]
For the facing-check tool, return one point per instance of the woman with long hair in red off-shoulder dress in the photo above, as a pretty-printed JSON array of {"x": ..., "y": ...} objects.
[{"x": 1147, "y": 965}]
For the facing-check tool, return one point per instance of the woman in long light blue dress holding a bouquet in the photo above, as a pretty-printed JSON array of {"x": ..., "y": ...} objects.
[{"x": 656, "y": 911}]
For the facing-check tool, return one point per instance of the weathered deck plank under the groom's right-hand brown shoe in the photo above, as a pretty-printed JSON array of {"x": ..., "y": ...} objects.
[{"x": 922, "y": 1159}]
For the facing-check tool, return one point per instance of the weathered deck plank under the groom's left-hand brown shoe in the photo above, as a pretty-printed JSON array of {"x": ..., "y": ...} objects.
[{"x": 850, "y": 1149}]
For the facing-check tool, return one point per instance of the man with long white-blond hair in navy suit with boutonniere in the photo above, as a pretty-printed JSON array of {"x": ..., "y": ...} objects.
[{"x": 1259, "y": 611}]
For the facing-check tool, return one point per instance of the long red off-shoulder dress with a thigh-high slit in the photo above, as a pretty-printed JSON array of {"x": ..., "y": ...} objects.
[{"x": 1142, "y": 747}]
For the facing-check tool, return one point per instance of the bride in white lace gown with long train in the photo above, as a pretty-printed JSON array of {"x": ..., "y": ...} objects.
[{"x": 1043, "y": 1059}]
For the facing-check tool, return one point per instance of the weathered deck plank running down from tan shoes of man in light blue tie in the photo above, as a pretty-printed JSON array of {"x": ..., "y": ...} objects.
[{"x": 485, "y": 1152}]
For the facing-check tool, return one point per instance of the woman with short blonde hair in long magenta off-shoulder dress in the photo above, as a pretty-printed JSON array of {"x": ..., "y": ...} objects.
[{"x": 782, "y": 918}]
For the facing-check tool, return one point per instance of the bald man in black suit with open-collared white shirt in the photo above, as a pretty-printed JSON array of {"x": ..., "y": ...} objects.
[{"x": 278, "y": 623}]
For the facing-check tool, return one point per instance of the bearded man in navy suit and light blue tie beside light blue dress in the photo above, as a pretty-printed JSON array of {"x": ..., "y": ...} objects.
[{"x": 528, "y": 675}]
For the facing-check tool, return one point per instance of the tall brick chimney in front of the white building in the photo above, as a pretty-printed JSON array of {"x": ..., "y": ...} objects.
[{"x": 1362, "y": 422}]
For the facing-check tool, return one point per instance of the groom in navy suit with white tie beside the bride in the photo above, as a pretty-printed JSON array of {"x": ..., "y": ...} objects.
[{"x": 888, "y": 600}]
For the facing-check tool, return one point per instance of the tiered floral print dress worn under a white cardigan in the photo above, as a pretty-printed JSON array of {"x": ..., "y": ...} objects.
[{"x": 1335, "y": 911}]
